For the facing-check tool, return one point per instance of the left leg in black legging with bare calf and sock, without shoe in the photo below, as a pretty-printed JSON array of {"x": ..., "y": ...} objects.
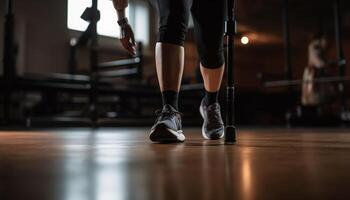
[{"x": 173, "y": 20}]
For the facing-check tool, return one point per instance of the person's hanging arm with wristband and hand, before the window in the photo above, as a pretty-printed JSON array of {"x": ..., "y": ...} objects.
[{"x": 126, "y": 34}]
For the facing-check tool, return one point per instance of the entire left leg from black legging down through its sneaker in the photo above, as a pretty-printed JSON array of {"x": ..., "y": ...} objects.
[{"x": 173, "y": 19}]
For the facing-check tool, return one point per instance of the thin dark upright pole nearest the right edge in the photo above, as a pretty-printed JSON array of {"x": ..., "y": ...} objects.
[{"x": 340, "y": 52}]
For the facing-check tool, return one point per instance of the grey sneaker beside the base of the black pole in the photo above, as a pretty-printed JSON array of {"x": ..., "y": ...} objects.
[{"x": 213, "y": 126}]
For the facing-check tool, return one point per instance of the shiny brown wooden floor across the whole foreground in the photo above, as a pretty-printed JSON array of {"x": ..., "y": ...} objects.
[{"x": 113, "y": 164}]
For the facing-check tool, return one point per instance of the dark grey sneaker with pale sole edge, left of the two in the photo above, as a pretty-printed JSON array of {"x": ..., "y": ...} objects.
[{"x": 168, "y": 126}]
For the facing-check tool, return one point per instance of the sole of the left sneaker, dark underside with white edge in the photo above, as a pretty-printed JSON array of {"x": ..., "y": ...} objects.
[{"x": 162, "y": 134}]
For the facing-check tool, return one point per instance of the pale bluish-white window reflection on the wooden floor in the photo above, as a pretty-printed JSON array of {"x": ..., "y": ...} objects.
[{"x": 95, "y": 170}]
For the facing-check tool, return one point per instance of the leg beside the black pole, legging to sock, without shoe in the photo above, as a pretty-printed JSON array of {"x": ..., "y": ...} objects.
[{"x": 209, "y": 31}]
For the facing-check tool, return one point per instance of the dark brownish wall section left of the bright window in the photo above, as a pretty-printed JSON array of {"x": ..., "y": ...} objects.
[{"x": 42, "y": 35}]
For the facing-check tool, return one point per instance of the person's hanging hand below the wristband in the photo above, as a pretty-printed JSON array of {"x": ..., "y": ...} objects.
[{"x": 127, "y": 38}]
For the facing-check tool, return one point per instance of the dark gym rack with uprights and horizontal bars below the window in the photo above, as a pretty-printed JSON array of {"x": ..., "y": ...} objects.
[{"x": 94, "y": 83}]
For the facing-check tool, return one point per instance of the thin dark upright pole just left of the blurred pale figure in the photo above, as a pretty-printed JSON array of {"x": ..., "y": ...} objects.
[{"x": 287, "y": 53}]
